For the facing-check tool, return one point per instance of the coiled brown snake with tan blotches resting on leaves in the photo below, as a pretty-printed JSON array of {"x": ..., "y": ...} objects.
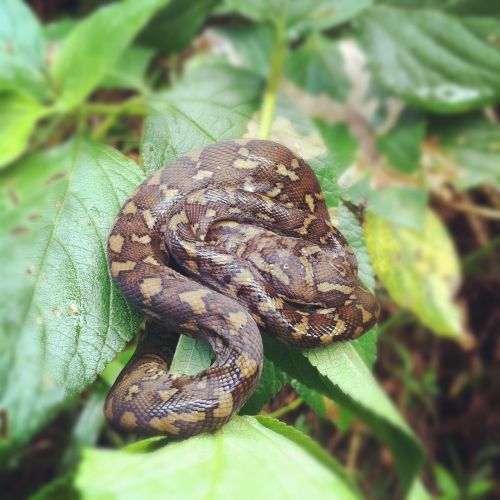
[{"x": 220, "y": 245}]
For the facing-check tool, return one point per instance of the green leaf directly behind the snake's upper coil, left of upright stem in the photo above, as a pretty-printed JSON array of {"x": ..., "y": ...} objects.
[{"x": 212, "y": 102}]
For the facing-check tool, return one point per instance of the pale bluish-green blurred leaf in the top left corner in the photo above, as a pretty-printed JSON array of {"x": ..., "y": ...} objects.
[{"x": 22, "y": 65}]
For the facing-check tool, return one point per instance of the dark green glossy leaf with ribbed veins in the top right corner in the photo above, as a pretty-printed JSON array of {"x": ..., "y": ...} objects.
[{"x": 432, "y": 59}]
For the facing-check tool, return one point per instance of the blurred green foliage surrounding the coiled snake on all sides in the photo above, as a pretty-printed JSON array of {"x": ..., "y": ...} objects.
[{"x": 393, "y": 103}]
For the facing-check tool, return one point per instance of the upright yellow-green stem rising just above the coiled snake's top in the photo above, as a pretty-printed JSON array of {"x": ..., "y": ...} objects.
[{"x": 271, "y": 91}]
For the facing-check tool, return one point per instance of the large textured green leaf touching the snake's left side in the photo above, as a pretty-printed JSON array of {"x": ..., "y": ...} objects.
[{"x": 61, "y": 318}]
